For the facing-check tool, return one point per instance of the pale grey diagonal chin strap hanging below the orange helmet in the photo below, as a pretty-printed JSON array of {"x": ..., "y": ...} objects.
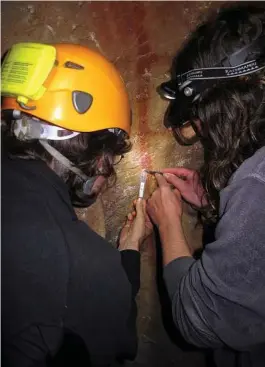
[{"x": 88, "y": 181}]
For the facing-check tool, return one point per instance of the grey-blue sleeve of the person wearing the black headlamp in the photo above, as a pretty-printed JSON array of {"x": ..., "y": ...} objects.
[{"x": 219, "y": 299}]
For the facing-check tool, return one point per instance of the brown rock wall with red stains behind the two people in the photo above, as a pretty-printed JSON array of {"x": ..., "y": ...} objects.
[{"x": 140, "y": 38}]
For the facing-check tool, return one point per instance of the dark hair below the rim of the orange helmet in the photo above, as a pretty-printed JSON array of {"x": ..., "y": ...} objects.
[{"x": 84, "y": 151}]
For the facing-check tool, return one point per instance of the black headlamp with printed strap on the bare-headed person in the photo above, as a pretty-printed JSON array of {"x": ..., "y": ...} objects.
[{"x": 183, "y": 91}]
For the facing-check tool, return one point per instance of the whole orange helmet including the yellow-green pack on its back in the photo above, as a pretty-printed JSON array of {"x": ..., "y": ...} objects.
[{"x": 66, "y": 85}]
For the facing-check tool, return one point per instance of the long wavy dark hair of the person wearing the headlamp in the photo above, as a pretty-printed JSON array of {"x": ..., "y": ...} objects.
[{"x": 232, "y": 112}]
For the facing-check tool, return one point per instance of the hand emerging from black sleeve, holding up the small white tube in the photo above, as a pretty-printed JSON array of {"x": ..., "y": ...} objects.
[{"x": 136, "y": 229}]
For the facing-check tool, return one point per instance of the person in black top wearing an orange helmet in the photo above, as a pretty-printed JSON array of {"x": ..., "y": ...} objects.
[{"x": 67, "y": 295}]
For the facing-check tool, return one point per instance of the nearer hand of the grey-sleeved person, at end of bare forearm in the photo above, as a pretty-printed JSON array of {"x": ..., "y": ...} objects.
[{"x": 165, "y": 205}]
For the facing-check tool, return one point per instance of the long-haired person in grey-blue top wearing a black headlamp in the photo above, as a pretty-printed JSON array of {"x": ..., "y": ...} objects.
[{"x": 218, "y": 87}]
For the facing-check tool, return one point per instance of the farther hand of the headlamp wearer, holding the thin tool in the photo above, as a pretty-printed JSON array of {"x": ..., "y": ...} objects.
[{"x": 188, "y": 183}]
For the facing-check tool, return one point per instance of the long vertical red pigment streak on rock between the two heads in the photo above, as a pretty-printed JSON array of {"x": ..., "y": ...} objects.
[{"x": 130, "y": 20}]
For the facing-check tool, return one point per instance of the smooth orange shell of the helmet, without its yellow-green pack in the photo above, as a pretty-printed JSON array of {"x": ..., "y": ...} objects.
[{"x": 82, "y": 92}]
